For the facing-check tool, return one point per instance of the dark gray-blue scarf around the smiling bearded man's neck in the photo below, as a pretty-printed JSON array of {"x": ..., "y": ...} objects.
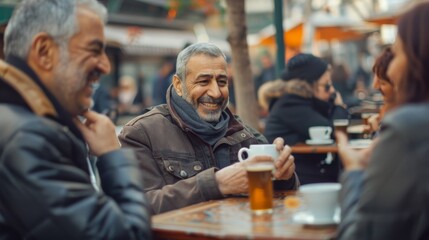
[{"x": 208, "y": 132}]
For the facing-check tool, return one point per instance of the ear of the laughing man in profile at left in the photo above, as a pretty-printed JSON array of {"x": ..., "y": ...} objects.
[{"x": 43, "y": 51}]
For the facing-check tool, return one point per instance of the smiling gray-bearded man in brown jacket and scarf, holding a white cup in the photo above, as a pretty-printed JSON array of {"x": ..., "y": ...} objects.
[{"x": 188, "y": 148}]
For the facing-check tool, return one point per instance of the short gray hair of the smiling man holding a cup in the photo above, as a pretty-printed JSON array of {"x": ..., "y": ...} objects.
[{"x": 203, "y": 48}]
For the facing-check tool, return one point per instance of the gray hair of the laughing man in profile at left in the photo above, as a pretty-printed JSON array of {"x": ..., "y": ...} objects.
[{"x": 54, "y": 17}]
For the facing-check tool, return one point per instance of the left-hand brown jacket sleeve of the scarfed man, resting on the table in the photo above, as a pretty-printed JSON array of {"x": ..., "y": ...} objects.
[{"x": 162, "y": 195}]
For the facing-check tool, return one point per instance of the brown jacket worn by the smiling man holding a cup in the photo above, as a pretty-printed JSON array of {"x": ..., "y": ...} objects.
[{"x": 179, "y": 168}]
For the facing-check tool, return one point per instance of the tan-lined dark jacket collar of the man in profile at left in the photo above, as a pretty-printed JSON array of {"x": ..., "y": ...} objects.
[{"x": 20, "y": 85}]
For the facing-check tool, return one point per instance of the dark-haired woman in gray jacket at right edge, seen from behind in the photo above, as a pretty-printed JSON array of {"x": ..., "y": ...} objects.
[{"x": 389, "y": 200}]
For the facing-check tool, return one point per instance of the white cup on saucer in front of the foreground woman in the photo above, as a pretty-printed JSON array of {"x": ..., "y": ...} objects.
[{"x": 321, "y": 199}]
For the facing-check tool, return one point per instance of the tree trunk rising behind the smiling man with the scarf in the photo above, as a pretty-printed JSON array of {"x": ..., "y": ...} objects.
[{"x": 247, "y": 107}]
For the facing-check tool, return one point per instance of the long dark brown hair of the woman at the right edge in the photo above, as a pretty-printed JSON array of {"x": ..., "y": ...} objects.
[{"x": 413, "y": 31}]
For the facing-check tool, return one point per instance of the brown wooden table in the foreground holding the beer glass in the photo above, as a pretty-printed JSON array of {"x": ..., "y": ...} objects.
[{"x": 231, "y": 219}]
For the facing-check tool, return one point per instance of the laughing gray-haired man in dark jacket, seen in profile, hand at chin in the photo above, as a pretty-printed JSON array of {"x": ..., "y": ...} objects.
[{"x": 48, "y": 188}]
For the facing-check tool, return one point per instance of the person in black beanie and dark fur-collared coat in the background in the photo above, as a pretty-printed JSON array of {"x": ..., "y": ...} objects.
[{"x": 309, "y": 100}]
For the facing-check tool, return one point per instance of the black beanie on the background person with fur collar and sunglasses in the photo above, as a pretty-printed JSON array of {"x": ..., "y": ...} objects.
[{"x": 305, "y": 67}]
